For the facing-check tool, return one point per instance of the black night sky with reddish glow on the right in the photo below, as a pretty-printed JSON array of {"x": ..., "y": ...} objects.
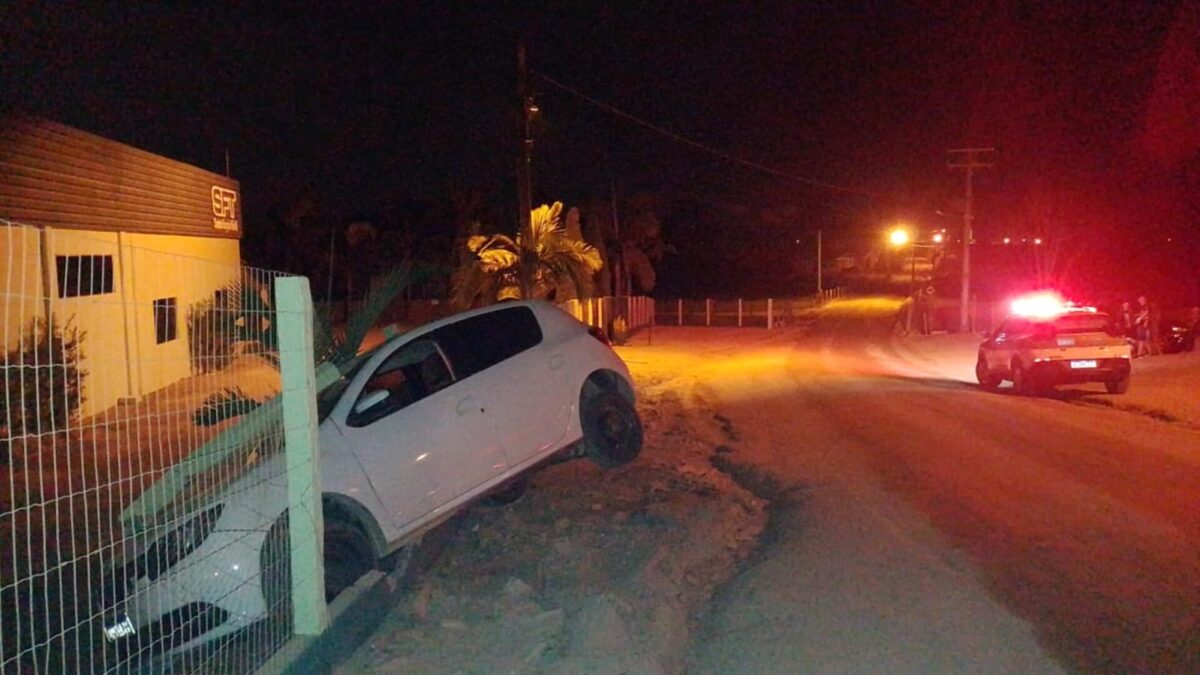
[{"x": 1093, "y": 107}]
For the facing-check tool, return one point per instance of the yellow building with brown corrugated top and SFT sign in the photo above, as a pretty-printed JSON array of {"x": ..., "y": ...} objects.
[{"x": 117, "y": 241}]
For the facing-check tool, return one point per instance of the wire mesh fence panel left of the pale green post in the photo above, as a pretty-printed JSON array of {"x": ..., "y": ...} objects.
[{"x": 141, "y": 469}]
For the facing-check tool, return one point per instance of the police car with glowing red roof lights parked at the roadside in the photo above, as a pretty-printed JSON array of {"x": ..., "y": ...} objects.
[{"x": 1047, "y": 343}]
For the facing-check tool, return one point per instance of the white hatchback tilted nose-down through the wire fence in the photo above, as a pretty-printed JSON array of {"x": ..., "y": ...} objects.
[{"x": 416, "y": 431}]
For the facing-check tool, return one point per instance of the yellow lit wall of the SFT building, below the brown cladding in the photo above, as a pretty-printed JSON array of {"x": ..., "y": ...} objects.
[{"x": 121, "y": 350}]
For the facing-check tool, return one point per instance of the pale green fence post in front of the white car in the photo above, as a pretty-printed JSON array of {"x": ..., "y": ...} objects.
[{"x": 293, "y": 304}]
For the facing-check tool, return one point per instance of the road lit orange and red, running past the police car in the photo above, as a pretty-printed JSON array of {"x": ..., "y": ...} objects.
[{"x": 932, "y": 527}]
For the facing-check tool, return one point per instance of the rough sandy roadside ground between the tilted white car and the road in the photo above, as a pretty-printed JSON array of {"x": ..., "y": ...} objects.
[{"x": 592, "y": 571}]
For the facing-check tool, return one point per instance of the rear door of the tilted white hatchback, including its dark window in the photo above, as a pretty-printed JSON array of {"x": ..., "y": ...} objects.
[{"x": 524, "y": 379}]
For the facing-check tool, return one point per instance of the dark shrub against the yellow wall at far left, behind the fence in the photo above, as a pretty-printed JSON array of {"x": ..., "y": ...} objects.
[{"x": 41, "y": 384}]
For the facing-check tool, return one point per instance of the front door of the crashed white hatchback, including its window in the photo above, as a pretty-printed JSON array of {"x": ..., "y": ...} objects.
[{"x": 423, "y": 438}]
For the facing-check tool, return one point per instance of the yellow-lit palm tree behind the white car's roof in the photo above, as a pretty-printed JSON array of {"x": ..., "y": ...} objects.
[{"x": 544, "y": 261}]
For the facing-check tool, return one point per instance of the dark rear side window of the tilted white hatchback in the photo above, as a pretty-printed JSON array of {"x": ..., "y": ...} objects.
[{"x": 482, "y": 342}]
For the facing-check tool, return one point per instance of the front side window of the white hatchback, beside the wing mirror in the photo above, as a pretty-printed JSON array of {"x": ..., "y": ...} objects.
[{"x": 411, "y": 374}]
